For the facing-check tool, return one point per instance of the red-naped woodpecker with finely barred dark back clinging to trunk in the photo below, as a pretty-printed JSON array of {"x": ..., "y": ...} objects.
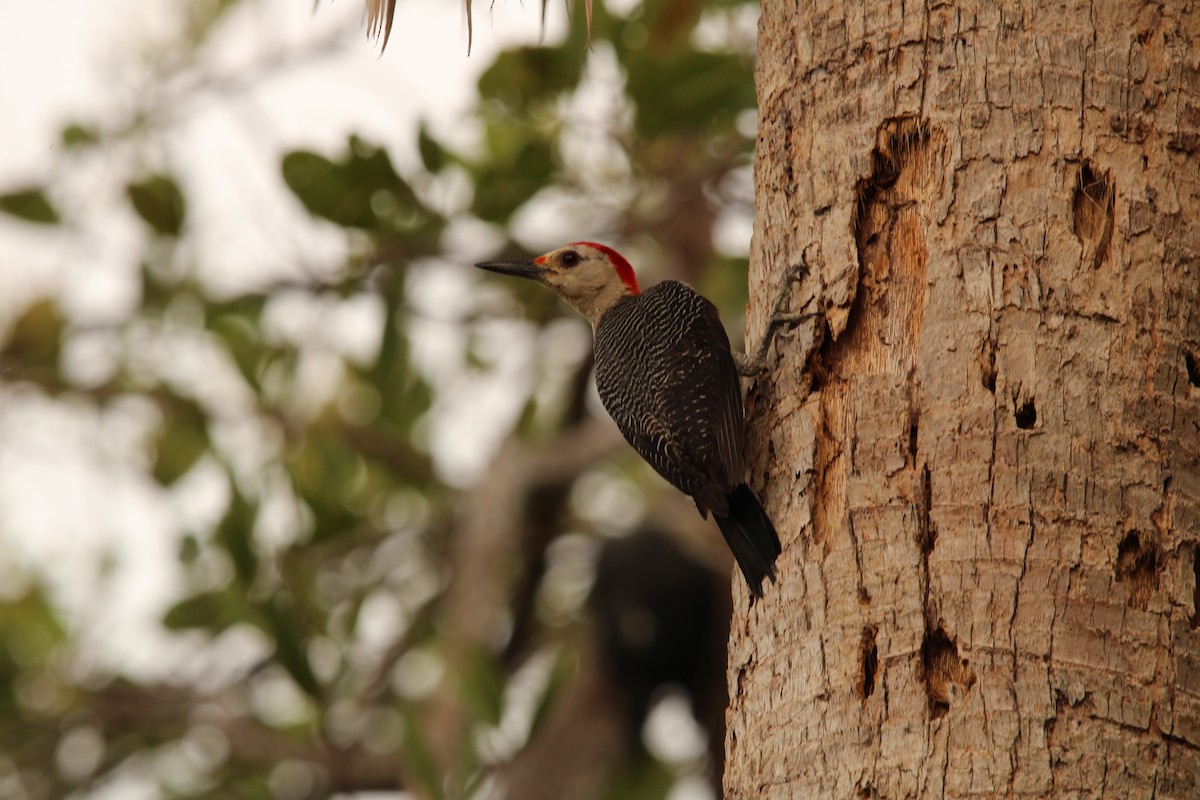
[{"x": 668, "y": 377}]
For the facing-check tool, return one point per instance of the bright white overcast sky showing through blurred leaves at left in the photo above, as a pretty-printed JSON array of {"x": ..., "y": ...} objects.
[{"x": 71, "y": 491}]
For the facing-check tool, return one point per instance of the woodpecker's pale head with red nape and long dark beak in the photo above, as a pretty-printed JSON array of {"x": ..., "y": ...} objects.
[{"x": 592, "y": 278}]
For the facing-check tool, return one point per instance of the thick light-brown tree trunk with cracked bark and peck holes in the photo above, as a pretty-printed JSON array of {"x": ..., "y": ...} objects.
[{"x": 986, "y": 472}]
